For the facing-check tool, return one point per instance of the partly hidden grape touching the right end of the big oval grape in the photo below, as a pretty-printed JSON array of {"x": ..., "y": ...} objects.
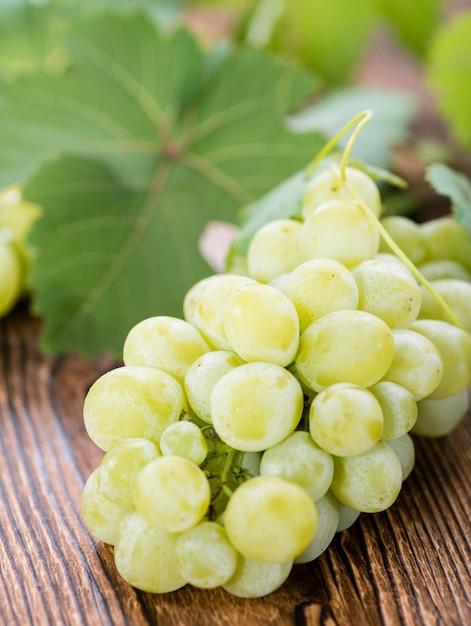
[{"x": 417, "y": 364}]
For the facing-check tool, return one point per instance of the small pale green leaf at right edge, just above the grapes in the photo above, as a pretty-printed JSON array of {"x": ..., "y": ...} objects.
[{"x": 457, "y": 187}]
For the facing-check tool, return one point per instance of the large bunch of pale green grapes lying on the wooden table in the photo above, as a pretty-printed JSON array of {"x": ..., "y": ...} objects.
[{"x": 241, "y": 438}]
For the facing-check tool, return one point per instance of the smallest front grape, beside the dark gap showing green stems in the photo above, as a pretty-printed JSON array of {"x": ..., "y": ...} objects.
[{"x": 184, "y": 439}]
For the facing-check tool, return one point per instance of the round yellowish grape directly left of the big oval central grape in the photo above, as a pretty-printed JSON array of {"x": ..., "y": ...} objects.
[{"x": 261, "y": 324}]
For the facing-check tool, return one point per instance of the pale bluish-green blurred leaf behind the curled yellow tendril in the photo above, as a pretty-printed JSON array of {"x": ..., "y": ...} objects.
[{"x": 393, "y": 110}]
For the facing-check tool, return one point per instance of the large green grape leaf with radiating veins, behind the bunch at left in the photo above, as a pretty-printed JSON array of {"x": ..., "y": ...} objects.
[{"x": 158, "y": 143}]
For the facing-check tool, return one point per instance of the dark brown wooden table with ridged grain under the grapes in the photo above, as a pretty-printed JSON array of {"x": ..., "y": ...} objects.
[{"x": 409, "y": 565}]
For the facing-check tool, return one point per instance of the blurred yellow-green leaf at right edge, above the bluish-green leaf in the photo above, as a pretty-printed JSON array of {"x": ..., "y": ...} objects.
[{"x": 449, "y": 74}]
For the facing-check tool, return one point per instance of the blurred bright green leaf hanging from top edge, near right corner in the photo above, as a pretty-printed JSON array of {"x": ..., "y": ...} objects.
[{"x": 414, "y": 27}]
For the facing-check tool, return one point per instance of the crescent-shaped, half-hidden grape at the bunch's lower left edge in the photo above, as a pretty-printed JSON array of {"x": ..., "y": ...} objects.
[{"x": 102, "y": 516}]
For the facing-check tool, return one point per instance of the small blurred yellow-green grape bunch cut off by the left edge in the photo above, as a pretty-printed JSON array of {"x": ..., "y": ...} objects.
[{"x": 16, "y": 219}]
